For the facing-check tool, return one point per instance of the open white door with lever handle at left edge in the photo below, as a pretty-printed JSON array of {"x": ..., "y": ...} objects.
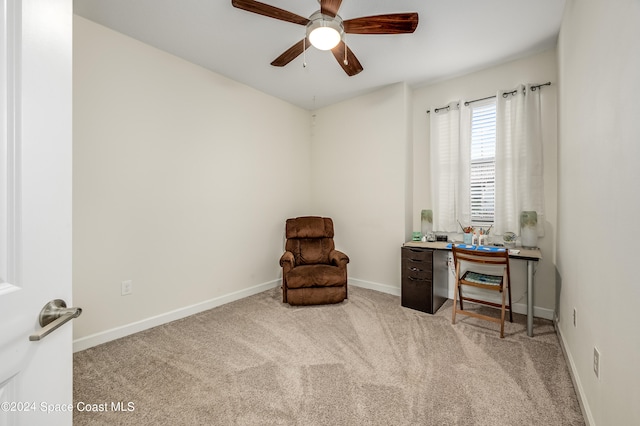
[{"x": 35, "y": 208}]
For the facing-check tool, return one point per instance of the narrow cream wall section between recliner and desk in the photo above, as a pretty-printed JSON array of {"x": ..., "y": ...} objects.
[{"x": 359, "y": 175}]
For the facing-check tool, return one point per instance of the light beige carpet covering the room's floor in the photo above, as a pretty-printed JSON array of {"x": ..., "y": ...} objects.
[{"x": 366, "y": 361}]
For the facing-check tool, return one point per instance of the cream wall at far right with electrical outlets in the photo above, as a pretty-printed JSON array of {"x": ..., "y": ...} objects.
[{"x": 599, "y": 203}]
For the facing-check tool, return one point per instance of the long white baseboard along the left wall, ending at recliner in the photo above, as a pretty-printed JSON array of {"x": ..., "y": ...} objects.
[{"x": 138, "y": 326}]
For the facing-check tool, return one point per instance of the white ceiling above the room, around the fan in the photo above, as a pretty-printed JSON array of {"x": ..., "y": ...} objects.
[{"x": 453, "y": 37}]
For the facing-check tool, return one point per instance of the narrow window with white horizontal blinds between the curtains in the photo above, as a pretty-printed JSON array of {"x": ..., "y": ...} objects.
[{"x": 483, "y": 162}]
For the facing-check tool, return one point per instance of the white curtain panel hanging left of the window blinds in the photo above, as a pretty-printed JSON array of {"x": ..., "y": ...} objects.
[{"x": 449, "y": 189}]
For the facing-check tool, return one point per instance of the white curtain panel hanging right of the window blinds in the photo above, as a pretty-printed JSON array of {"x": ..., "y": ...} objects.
[{"x": 519, "y": 179}]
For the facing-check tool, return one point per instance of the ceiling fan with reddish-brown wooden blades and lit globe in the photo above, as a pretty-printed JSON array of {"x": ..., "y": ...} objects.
[{"x": 326, "y": 29}]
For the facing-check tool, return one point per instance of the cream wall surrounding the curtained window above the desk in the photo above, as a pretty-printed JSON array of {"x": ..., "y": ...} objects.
[{"x": 538, "y": 68}]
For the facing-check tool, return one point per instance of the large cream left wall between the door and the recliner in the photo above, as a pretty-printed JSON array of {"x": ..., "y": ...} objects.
[{"x": 182, "y": 181}]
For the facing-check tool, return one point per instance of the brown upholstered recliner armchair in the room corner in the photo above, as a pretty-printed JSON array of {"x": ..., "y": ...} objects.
[{"x": 313, "y": 271}]
